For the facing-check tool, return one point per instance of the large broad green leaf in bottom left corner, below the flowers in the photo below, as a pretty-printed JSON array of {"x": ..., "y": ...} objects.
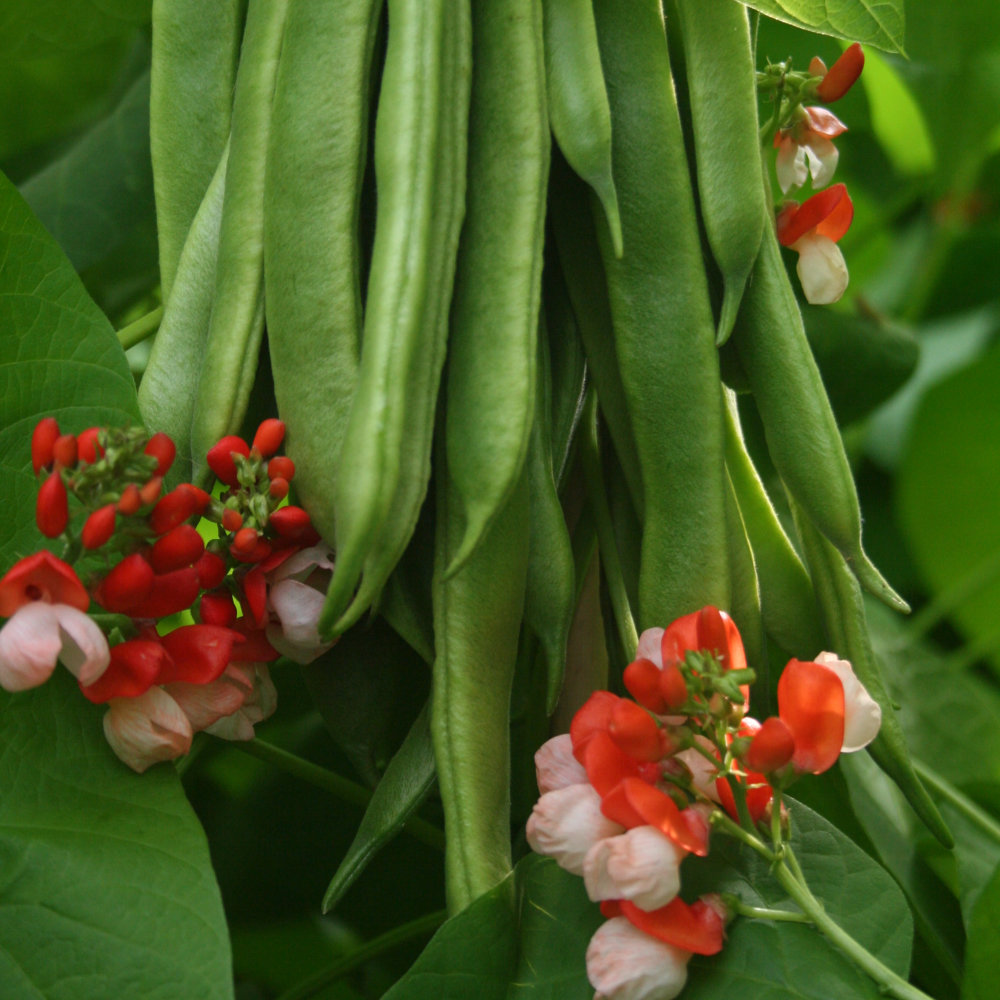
[{"x": 106, "y": 889}]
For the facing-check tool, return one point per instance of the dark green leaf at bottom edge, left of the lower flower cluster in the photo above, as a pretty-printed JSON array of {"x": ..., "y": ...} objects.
[{"x": 526, "y": 938}]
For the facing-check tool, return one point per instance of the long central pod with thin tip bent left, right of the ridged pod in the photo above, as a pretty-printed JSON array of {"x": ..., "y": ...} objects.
[{"x": 492, "y": 343}]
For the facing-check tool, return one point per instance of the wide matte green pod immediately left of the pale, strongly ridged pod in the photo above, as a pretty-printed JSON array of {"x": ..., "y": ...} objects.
[{"x": 312, "y": 266}]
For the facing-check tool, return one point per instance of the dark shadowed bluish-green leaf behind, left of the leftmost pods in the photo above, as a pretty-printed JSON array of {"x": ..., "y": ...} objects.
[{"x": 94, "y": 196}]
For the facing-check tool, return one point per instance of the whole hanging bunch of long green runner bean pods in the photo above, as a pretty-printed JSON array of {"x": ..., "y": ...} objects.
[{"x": 523, "y": 236}]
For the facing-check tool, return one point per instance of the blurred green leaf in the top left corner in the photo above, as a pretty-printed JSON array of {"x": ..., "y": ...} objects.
[{"x": 65, "y": 25}]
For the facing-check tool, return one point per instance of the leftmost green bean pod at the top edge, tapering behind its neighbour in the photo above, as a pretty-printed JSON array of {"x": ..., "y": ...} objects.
[{"x": 195, "y": 49}]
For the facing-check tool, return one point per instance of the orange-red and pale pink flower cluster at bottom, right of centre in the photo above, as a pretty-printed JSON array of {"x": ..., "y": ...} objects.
[{"x": 636, "y": 786}]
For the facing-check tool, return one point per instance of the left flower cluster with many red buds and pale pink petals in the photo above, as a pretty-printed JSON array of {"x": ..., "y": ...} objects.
[{"x": 253, "y": 592}]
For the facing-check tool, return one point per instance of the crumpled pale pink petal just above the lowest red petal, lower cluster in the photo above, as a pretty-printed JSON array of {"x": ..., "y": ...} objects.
[{"x": 640, "y": 865}]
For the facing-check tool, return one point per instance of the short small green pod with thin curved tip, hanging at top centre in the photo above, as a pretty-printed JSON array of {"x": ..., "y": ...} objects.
[{"x": 578, "y": 101}]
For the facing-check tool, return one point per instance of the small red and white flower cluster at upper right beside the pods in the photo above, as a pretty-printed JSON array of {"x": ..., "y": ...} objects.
[{"x": 804, "y": 139}]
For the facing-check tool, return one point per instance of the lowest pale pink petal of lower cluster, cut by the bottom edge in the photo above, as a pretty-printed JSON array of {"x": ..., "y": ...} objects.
[{"x": 625, "y": 963}]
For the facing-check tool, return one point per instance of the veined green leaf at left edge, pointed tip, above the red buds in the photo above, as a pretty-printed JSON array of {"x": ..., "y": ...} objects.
[{"x": 58, "y": 356}]
